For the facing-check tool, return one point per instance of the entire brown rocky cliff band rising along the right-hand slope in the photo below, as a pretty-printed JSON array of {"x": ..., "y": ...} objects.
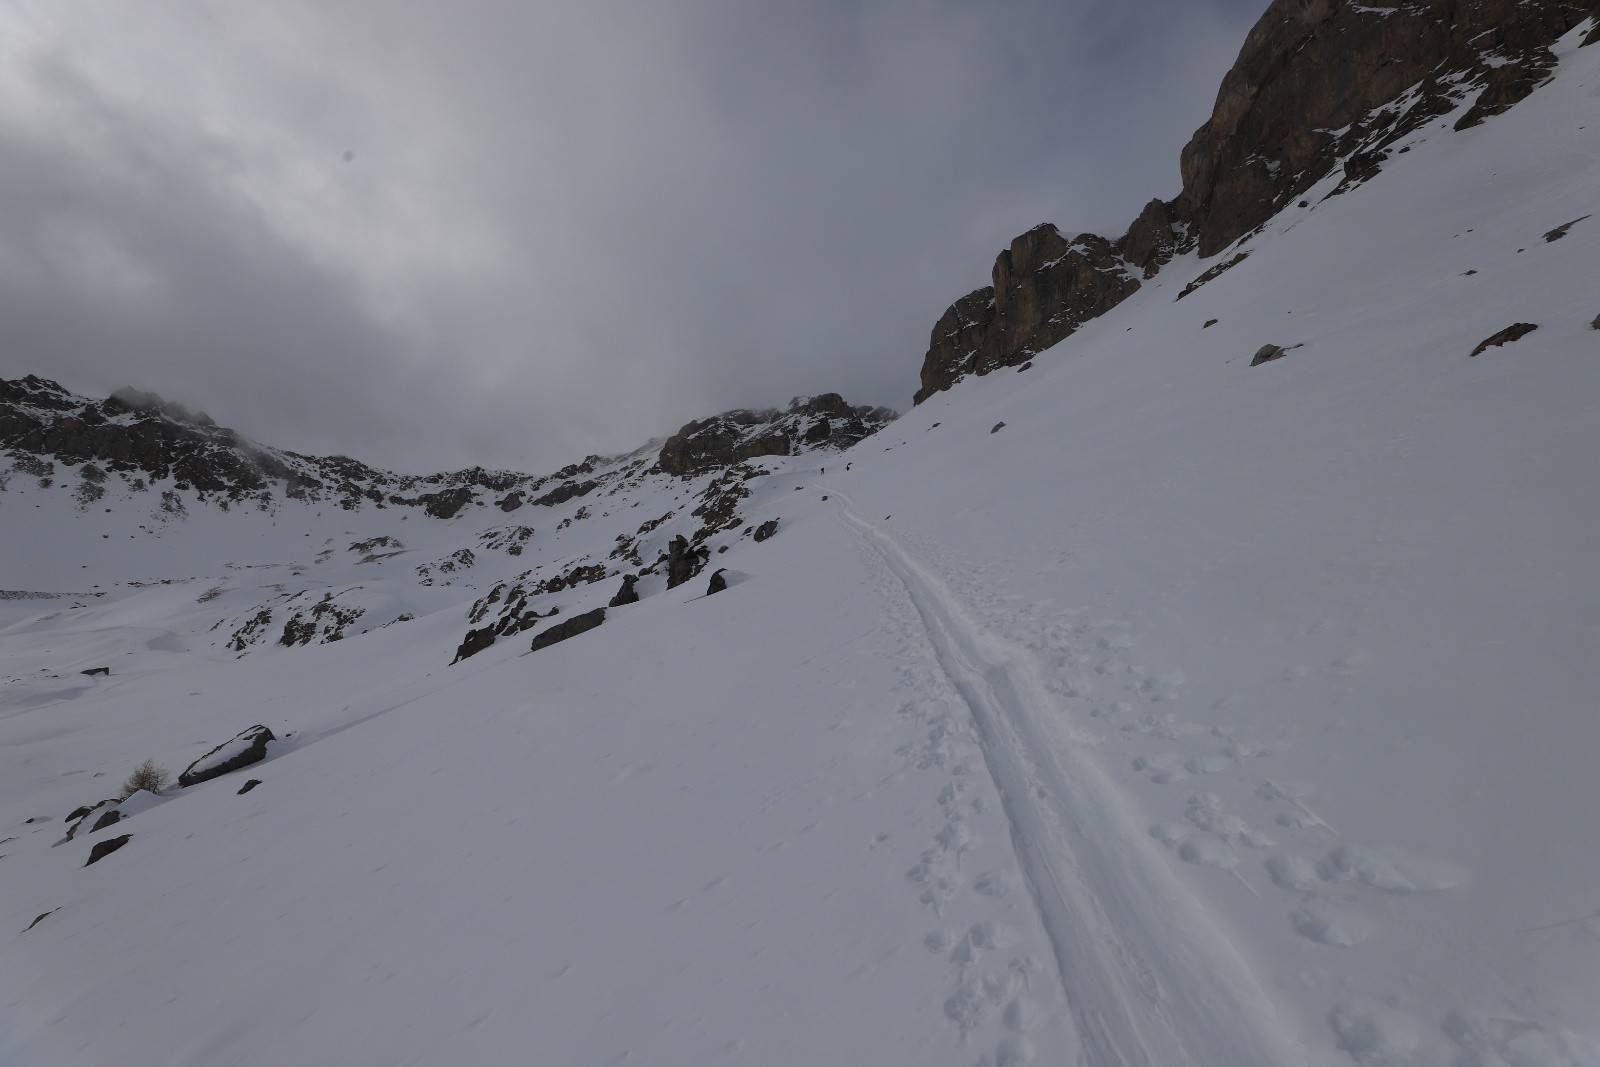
[{"x": 1318, "y": 86}]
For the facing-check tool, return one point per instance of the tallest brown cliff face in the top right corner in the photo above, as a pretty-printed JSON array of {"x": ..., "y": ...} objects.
[{"x": 1314, "y": 66}]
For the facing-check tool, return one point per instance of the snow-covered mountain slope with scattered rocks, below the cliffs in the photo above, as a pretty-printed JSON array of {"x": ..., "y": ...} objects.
[{"x": 1145, "y": 708}]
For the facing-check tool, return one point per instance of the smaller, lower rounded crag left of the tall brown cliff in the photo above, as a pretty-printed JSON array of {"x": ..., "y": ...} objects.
[{"x": 1046, "y": 287}]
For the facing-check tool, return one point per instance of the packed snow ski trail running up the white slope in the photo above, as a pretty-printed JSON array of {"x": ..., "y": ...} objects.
[{"x": 1150, "y": 978}]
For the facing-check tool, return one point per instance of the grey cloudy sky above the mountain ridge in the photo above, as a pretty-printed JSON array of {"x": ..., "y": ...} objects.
[{"x": 513, "y": 233}]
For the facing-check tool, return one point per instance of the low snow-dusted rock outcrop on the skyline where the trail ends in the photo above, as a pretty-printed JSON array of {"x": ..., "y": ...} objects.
[{"x": 734, "y": 438}]
